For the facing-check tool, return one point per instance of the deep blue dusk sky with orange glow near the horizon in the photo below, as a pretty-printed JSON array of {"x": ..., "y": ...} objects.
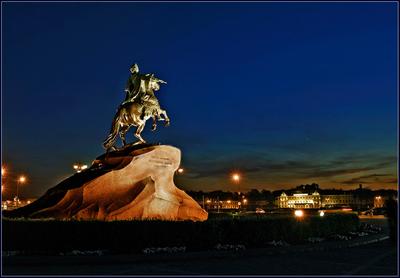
[{"x": 284, "y": 93}]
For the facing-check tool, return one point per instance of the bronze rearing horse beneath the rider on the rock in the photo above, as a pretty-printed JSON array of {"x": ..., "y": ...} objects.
[{"x": 136, "y": 113}]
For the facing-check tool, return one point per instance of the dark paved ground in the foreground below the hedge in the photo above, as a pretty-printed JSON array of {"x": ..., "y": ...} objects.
[{"x": 378, "y": 258}]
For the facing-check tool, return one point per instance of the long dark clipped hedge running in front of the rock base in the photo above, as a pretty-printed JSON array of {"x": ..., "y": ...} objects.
[{"x": 133, "y": 236}]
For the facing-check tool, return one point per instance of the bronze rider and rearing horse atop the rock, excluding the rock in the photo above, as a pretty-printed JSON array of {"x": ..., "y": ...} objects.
[{"x": 140, "y": 104}]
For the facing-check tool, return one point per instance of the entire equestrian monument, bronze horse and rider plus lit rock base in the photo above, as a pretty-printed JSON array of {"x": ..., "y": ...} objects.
[{"x": 135, "y": 182}]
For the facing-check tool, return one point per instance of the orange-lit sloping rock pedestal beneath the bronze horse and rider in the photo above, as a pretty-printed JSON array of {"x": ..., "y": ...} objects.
[{"x": 133, "y": 183}]
